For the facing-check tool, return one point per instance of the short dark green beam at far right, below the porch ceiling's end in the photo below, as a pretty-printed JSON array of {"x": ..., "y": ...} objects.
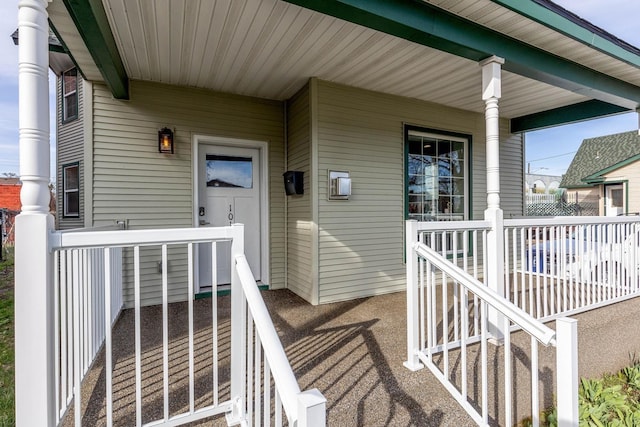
[{"x": 563, "y": 115}]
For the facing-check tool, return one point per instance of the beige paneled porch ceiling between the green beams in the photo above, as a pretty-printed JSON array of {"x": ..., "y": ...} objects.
[{"x": 269, "y": 49}]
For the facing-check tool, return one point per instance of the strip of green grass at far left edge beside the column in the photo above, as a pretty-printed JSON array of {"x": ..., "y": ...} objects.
[{"x": 7, "y": 411}]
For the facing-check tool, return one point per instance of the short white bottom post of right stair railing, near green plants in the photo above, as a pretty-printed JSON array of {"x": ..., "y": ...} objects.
[{"x": 567, "y": 371}]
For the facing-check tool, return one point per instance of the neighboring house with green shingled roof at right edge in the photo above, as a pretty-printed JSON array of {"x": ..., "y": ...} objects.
[{"x": 607, "y": 169}]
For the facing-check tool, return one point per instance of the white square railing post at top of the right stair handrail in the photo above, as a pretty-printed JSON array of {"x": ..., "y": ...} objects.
[{"x": 413, "y": 313}]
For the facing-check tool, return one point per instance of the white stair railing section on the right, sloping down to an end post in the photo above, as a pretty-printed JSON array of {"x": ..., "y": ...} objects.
[{"x": 451, "y": 338}]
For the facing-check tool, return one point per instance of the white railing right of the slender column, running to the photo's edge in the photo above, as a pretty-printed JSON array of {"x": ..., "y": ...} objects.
[{"x": 561, "y": 265}]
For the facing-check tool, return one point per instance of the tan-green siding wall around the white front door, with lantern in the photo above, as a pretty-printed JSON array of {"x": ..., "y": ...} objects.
[{"x": 133, "y": 181}]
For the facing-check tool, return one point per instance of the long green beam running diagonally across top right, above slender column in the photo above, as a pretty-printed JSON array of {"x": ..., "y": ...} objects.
[{"x": 431, "y": 26}]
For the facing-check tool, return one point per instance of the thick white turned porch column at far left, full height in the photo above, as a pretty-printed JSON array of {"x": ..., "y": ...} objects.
[{"x": 34, "y": 329}]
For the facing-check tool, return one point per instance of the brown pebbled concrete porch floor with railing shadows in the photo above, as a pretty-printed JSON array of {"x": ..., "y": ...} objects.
[{"x": 351, "y": 351}]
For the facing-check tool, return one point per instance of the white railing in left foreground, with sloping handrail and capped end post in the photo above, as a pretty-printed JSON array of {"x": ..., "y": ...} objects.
[{"x": 254, "y": 357}]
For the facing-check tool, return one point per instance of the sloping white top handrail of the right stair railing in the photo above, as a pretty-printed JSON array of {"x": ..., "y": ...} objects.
[{"x": 542, "y": 333}]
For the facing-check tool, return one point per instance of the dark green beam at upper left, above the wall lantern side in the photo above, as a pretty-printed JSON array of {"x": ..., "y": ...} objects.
[{"x": 91, "y": 21}]
